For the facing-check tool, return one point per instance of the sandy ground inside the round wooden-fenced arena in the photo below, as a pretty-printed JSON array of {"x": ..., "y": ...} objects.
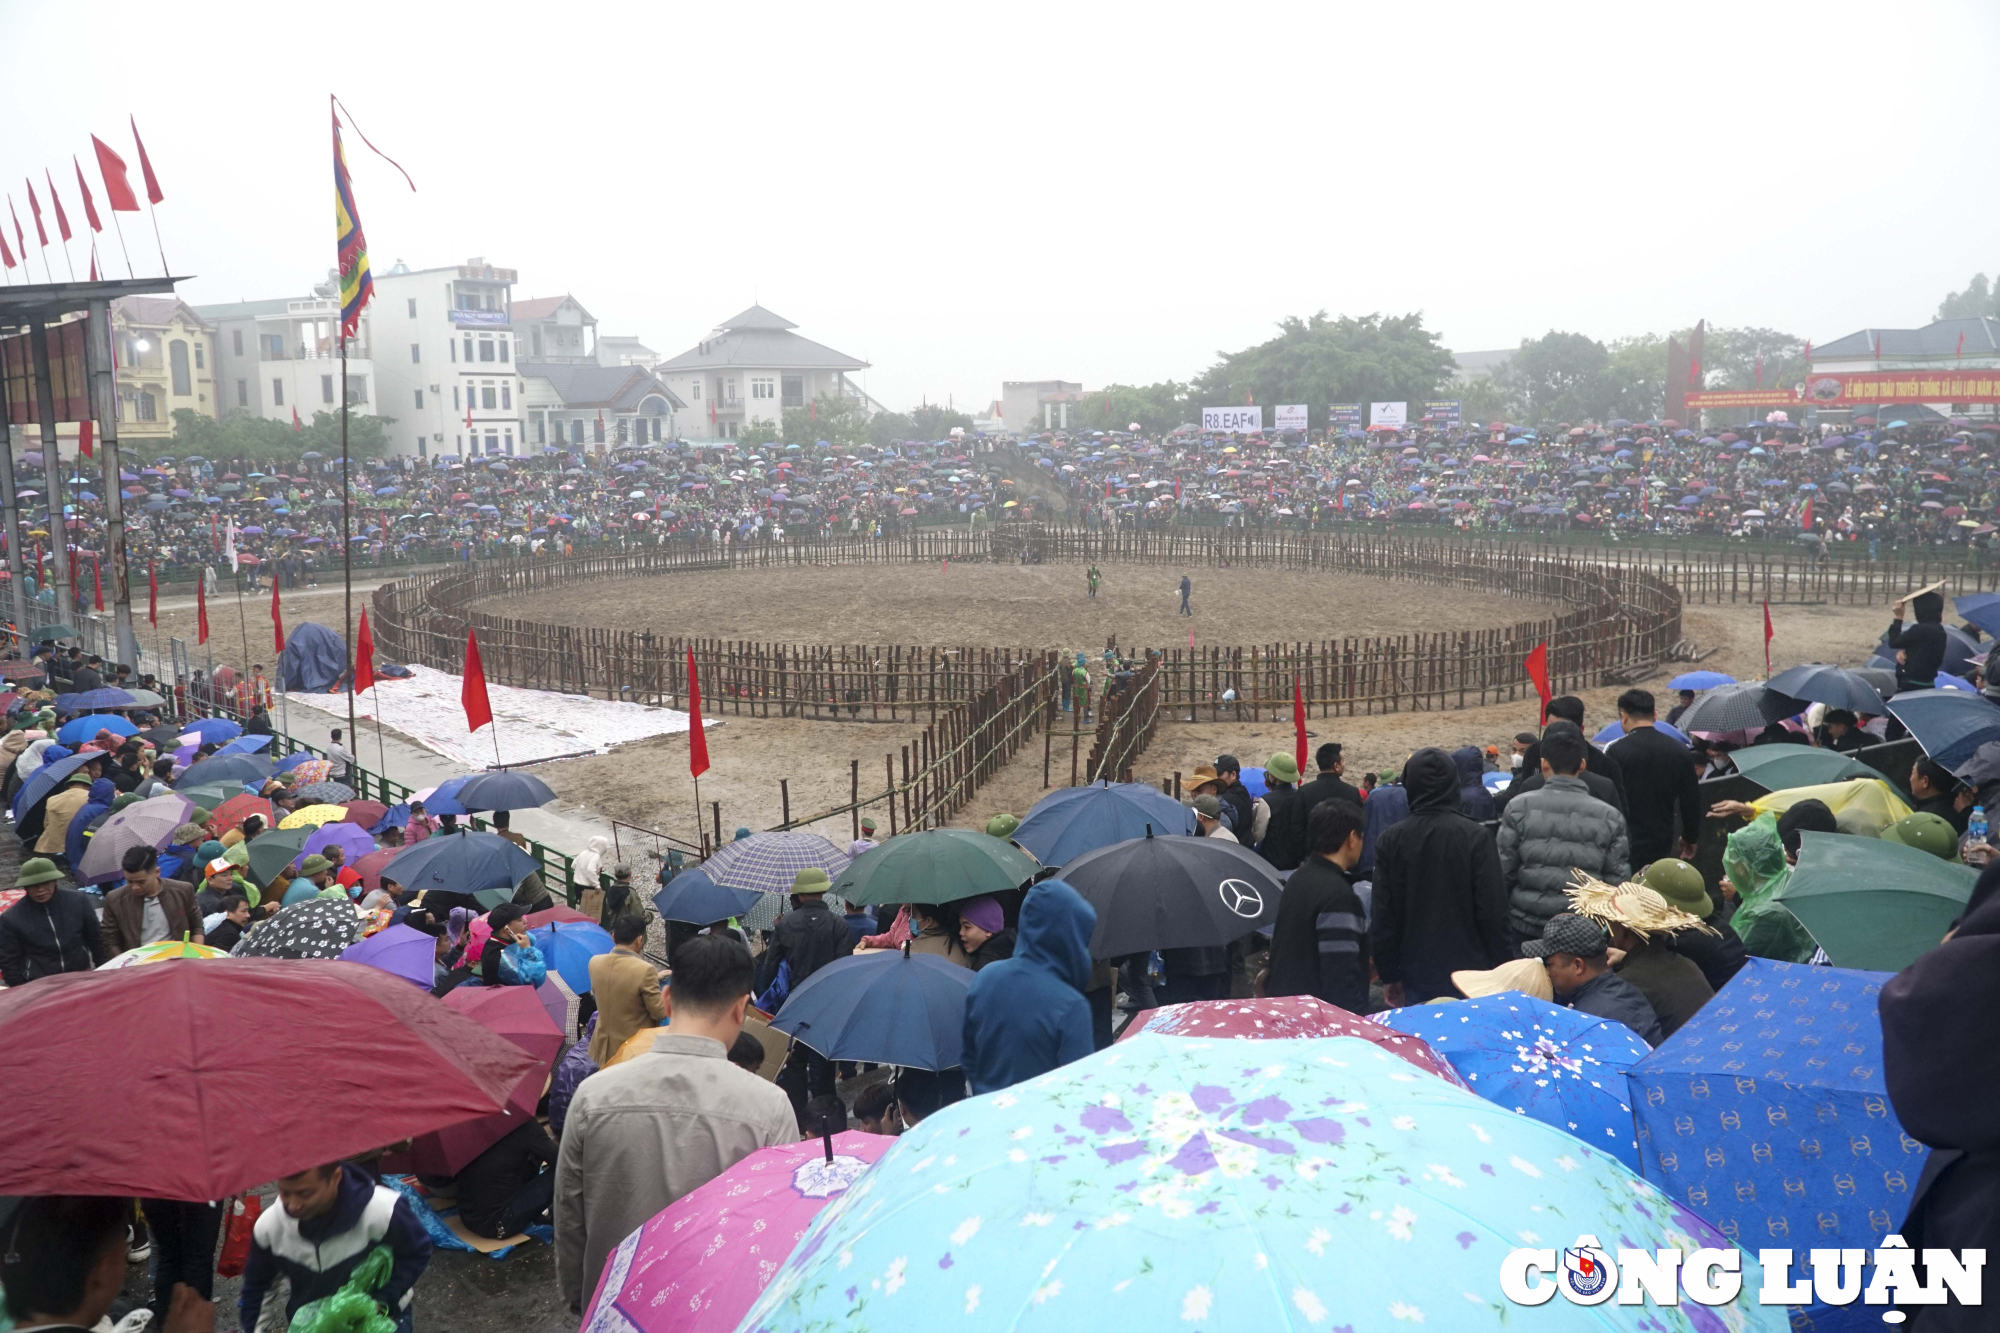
[{"x": 1035, "y": 605}]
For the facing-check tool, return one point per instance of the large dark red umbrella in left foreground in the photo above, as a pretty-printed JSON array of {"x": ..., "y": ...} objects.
[{"x": 323, "y": 1060}]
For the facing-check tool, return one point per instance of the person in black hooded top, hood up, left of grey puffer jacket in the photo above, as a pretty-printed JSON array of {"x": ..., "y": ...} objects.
[{"x": 1439, "y": 898}]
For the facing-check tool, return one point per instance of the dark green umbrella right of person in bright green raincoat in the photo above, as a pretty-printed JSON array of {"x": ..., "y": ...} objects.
[{"x": 1875, "y": 904}]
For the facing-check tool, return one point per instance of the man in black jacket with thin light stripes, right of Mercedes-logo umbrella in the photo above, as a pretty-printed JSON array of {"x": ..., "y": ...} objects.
[{"x": 1319, "y": 946}]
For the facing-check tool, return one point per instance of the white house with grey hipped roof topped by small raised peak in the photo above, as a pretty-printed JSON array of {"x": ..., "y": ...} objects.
[{"x": 751, "y": 369}]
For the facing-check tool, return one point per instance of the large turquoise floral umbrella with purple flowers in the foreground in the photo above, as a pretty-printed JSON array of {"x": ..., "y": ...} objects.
[{"x": 1189, "y": 1184}]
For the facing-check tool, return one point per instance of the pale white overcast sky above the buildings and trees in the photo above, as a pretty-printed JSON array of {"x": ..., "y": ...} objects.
[{"x": 981, "y": 193}]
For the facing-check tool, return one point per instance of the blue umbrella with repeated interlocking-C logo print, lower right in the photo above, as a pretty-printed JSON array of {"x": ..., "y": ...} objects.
[{"x": 1781, "y": 1082}]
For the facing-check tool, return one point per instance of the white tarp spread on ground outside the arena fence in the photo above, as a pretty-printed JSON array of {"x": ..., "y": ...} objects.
[{"x": 531, "y": 724}]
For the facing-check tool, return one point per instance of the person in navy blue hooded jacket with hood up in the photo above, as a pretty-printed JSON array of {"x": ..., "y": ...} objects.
[{"x": 1027, "y": 1016}]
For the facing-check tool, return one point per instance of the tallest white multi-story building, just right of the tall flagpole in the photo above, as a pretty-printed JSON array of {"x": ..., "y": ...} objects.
[{"x": 447, "y": 359}]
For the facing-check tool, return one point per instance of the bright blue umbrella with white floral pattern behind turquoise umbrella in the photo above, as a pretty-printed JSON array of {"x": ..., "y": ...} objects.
[{"x": 1557, "y": 1066}]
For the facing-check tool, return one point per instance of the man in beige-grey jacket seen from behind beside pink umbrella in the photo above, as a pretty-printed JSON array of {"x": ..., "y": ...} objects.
[{"x": 647, "y": 1132}]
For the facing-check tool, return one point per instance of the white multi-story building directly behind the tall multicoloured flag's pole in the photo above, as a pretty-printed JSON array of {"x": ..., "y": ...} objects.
[{"x": 281, "y": 359}]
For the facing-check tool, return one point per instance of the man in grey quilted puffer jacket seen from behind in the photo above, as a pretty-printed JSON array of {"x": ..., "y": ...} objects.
[{"x": 1555, "y": 832}]
